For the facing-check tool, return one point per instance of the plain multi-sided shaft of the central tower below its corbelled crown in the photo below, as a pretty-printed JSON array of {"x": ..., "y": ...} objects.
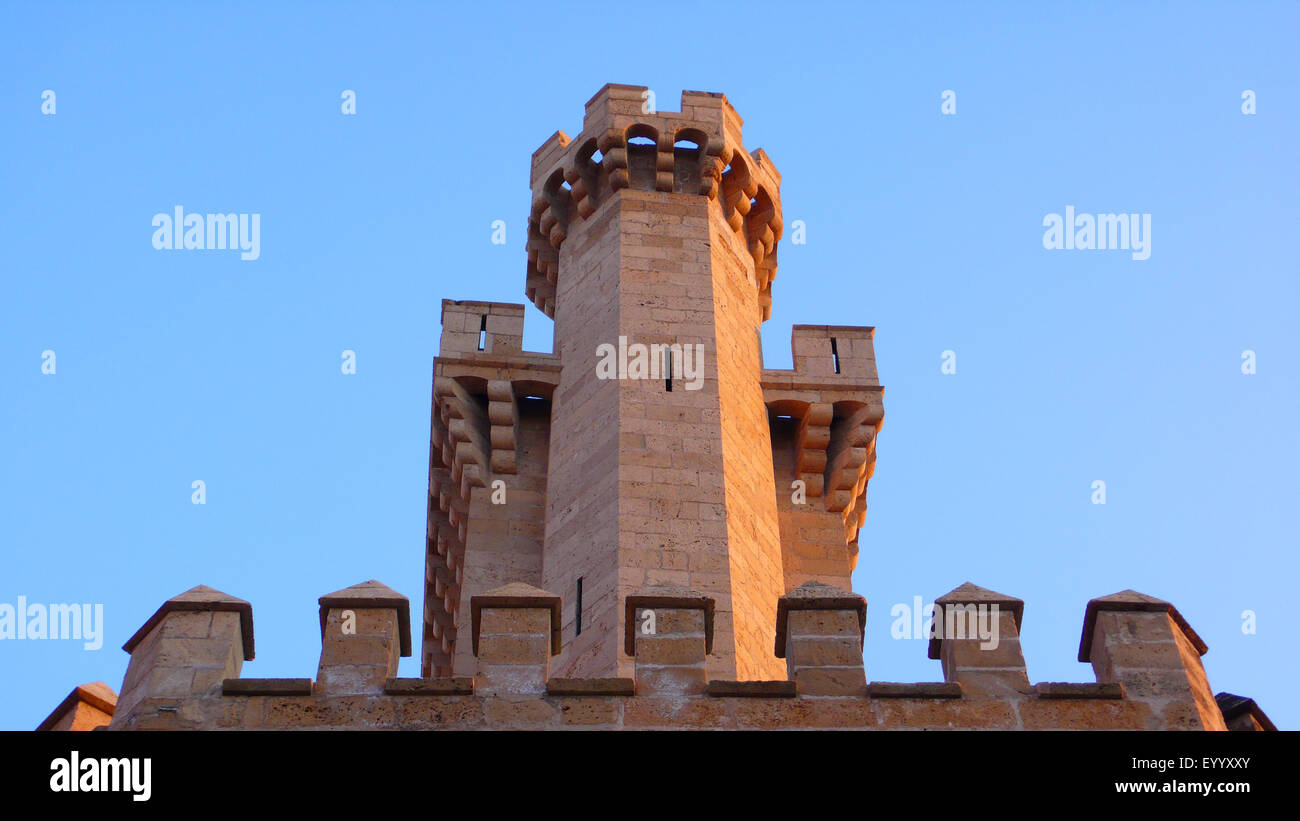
[{"x": 694, "y": 466}]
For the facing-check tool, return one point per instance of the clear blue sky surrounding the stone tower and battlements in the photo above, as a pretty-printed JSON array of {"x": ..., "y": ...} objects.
[{"x": 1072, "y": 366}]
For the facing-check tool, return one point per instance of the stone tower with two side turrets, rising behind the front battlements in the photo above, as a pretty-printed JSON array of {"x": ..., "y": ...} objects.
[{"x": 708, "y": 472}]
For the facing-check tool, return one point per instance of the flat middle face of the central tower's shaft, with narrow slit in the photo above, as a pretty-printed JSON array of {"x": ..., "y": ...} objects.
[{"x": 671, "y": 523}]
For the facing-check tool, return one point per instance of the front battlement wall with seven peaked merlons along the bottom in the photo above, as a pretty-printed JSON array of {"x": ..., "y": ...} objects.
[{"x": 1146, "y": 657}]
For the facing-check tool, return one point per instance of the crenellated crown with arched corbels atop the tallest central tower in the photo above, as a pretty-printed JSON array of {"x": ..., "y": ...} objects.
[{"x": 625, "y": 145}]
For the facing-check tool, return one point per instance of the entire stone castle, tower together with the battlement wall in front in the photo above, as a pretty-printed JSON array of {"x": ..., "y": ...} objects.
[{"x": 570, "y": 509}]
